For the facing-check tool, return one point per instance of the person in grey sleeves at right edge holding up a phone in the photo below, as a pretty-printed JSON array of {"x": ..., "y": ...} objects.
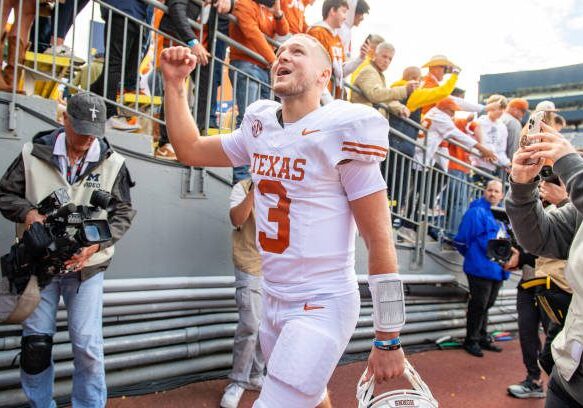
[{"x": 556, "y": 234}]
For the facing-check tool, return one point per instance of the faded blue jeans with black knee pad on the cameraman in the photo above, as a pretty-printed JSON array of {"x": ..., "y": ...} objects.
[{"x": 84, "y": 303}]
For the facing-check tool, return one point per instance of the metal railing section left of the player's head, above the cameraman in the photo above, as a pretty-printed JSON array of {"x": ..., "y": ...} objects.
[{"x": 119, "y": 81}]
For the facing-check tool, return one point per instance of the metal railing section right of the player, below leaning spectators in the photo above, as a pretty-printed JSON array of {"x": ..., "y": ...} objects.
[{"x": 427, "y": 199}]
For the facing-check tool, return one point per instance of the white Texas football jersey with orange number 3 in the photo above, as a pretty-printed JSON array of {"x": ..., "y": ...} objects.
[{"x": 305, "y": 228}]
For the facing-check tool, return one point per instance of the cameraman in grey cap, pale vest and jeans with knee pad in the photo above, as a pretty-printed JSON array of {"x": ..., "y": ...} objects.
[{"x": 78, "y": 159}]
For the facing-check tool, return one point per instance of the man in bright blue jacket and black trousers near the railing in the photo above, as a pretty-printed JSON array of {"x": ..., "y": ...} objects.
[{"x": 485, "y": 277}]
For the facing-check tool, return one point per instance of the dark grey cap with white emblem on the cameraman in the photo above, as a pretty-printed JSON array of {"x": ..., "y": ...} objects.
[{"x": 87, "y": 114}]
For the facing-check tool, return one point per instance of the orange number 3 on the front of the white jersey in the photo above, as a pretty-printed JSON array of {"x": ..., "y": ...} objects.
[{"x": 279, "y": 214}]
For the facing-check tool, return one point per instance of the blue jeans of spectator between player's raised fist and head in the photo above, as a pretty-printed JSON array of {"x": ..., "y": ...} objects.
[{"x": 247, "y": 91}]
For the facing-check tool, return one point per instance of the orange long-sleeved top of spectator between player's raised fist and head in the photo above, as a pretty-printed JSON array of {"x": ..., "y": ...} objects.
[{"x": 254, "y": 22}]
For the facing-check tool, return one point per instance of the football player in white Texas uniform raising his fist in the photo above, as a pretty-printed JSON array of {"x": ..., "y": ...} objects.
[{"x": 316, "y": 176}]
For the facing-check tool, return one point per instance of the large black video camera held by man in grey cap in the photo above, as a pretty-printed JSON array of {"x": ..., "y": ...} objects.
[{"x": 44, "y": 248}]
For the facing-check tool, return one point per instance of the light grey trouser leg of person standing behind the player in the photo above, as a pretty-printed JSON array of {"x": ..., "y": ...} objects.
[{"x": 248, "y": 362}]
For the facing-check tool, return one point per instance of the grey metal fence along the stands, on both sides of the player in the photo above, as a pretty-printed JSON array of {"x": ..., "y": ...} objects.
[{"x": 424, "y": 198}]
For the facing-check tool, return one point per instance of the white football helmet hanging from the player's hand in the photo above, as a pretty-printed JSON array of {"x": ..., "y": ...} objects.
[{"x": 419, "y": 397}]
